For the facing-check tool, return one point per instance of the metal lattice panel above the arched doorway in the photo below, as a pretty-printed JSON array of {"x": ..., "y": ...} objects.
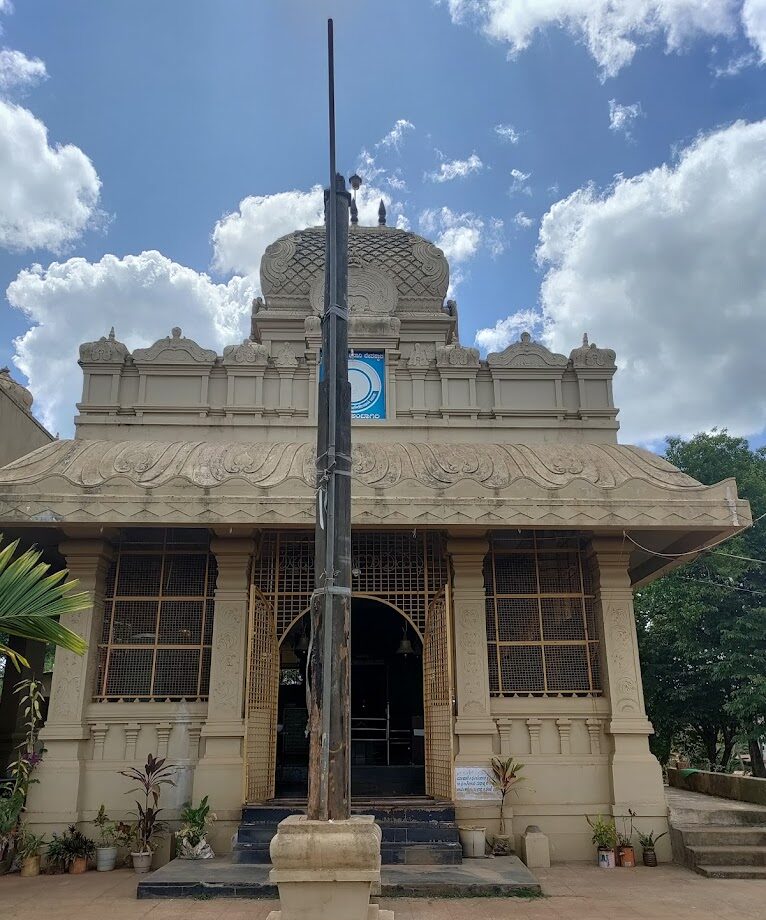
[{"x": 404, "y": 569}]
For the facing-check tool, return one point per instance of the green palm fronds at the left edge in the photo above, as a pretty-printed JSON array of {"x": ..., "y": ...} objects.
[{"x": 30, "y": 601}]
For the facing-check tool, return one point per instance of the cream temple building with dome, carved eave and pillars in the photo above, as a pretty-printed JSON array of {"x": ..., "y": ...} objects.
[{"x": 494, "y": 516}]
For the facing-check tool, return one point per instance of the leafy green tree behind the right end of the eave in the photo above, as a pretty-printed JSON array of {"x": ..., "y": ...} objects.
[{"x": 702, "y": 628}]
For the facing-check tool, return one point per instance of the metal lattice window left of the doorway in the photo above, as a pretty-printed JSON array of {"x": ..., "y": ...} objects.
[{"x": 158, "y": 617}]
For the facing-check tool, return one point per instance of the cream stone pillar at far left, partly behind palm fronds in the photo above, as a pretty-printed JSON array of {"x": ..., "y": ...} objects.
[{"x": 57, "y": 798}]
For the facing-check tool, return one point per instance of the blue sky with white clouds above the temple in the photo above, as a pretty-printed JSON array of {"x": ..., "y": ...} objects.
[{"x": 185, "y": 109}]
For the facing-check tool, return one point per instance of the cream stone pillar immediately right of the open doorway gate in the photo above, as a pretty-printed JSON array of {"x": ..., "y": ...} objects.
[{"x": 474, "y": 727}]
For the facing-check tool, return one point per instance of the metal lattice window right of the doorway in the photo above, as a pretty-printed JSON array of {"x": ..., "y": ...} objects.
[{"x": 541, "y": 629}]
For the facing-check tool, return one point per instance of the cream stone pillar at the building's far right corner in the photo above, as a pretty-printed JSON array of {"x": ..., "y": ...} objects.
[{"x": 636, "y": 777}]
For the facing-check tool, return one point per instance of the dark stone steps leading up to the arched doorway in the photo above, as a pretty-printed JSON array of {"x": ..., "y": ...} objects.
[{"x": 418, "y": 831}]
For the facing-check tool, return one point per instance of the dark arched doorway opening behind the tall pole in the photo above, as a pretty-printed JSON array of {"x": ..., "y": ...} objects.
[{"x": 387, "y": 727}]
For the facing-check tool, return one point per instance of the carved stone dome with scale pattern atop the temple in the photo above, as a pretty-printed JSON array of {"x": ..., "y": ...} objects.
[{"x": 389, "y": 270}]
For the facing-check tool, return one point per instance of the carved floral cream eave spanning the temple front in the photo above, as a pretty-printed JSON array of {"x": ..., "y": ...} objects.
[{"x": 564, "y": 485}]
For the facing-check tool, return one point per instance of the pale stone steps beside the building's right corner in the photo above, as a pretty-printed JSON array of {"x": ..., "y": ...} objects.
[{"x": 718, "y": 838}]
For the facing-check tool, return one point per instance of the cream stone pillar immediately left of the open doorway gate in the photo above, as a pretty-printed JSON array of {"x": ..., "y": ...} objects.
[{"x": 219, "y": 772}]
